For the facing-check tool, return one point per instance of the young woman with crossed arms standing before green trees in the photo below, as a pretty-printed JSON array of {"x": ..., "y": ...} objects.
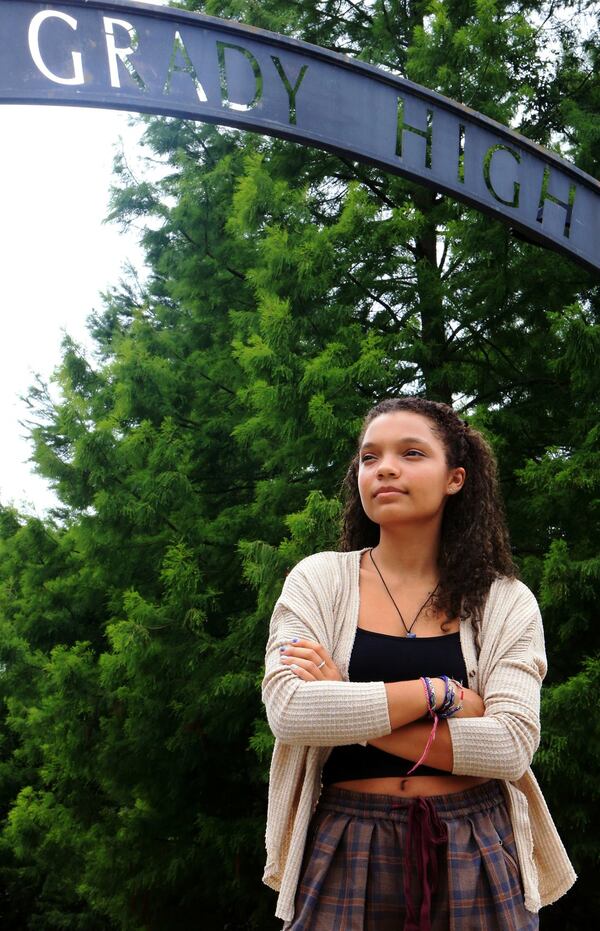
[{"x": 402, "y": 684}]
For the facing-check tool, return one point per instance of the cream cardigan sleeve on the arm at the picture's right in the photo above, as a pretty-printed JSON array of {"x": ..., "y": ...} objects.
[{"x": 501, "y": 744}]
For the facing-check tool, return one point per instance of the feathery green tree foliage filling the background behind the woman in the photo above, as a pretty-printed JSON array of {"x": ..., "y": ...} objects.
[{"x": 199, "y": 455}]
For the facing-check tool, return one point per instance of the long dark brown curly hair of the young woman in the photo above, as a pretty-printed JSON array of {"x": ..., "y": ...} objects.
[{"x": 474, "y": 548}]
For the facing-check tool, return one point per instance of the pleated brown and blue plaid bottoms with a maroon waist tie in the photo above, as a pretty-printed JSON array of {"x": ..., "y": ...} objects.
[{"x": 438, "y": 863}]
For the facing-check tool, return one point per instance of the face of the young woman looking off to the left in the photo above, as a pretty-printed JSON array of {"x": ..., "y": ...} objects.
[{"x": 403, "y": 475}]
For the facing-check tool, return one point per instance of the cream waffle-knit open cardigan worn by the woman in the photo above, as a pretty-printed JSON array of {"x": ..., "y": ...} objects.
[{"x": 320, "y": 601}]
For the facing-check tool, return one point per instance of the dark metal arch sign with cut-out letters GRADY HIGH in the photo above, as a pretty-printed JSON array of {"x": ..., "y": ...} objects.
[{"x": 134, "y": 56}]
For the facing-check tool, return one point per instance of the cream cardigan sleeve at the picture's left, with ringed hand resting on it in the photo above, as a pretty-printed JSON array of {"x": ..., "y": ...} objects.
[{"x": 317, "y": 713}]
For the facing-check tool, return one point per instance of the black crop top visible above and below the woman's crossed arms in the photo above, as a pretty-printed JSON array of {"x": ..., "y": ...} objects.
[{"x": 377, "y": 657}]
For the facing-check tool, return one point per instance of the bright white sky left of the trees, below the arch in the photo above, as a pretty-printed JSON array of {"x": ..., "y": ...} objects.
[{"x": 56, "y": 256}]
